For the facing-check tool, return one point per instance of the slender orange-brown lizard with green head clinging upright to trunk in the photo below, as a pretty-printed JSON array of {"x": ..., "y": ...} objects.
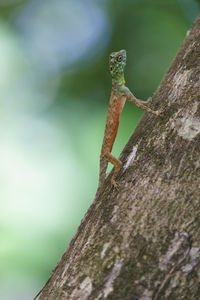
[{"x": 119, "y": 94}]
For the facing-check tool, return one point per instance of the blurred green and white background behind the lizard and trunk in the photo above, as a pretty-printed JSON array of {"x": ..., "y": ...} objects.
[{"x": 54, "y": 92}]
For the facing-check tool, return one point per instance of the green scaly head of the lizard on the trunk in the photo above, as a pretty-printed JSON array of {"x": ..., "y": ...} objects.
[{"x": 117, "y": 63}]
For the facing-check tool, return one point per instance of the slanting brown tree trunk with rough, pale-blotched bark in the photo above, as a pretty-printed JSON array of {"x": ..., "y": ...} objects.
[{"x": 143, "y": 241}]
